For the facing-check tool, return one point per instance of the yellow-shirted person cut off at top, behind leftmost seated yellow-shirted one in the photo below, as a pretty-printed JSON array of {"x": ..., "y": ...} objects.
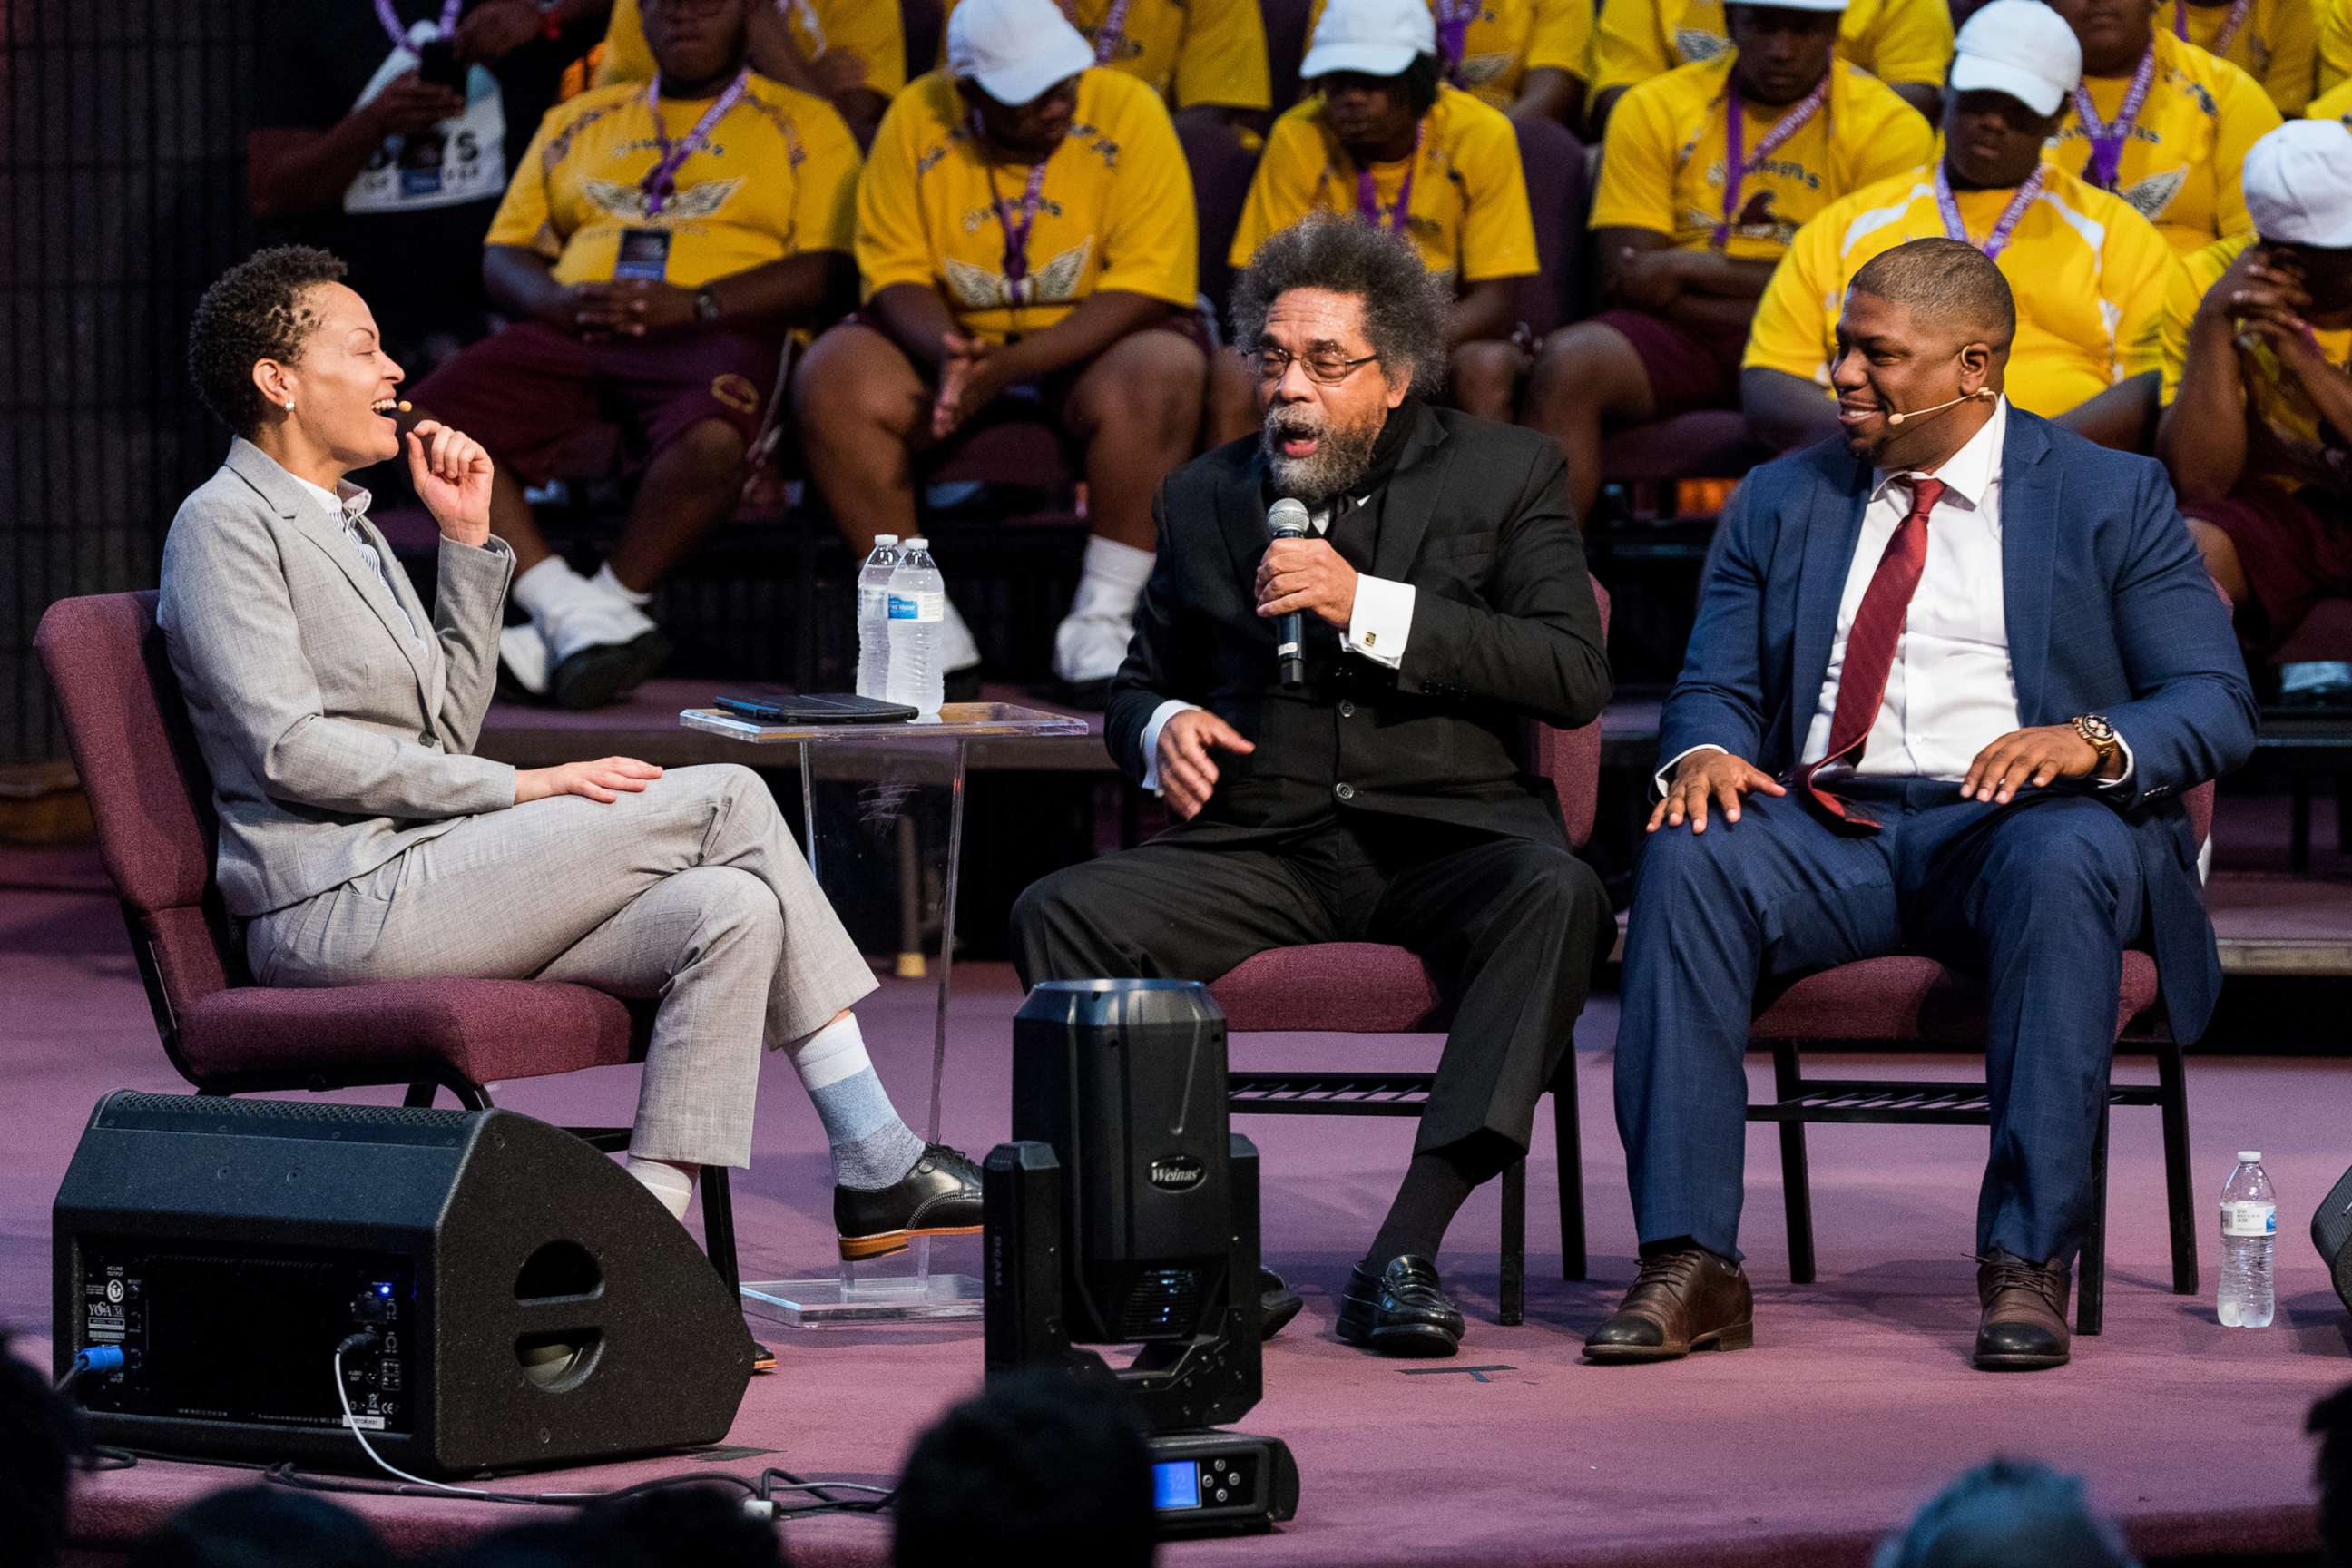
[{"x": 850, "y": 53}]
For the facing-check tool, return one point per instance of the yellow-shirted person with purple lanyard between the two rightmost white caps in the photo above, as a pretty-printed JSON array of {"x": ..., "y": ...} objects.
[{"x": 2160, "y": 123}]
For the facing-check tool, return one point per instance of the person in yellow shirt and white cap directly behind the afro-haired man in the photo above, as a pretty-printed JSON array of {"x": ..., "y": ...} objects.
[{"x": 1391, "y": 142}]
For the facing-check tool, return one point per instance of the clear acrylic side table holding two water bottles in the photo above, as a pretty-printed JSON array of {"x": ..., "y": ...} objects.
[{"x": 883, "y": 805}]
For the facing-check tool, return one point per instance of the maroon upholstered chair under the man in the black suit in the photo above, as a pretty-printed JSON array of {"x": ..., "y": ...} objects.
[{"x": 1372, "y": 989}]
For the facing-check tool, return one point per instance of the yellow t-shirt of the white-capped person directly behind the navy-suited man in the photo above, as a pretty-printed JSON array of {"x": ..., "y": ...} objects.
[{"x": 2085, "y": 269}]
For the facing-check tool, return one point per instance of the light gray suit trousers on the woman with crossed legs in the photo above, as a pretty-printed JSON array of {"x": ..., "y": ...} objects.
[{"x": 690, "y": 892}]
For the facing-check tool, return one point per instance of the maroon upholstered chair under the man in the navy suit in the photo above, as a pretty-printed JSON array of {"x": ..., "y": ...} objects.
[{"x": 1918, "y": 1003}]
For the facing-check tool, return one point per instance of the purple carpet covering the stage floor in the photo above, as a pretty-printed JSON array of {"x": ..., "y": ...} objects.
[{"x": 1855, "y": 1405}]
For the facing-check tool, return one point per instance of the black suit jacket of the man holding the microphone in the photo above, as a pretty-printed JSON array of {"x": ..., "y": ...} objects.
[{"x": 1506, "y": 631}]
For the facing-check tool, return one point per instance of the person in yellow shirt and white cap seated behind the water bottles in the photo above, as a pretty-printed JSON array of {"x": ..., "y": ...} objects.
[{"x": 1024, "y": 241}]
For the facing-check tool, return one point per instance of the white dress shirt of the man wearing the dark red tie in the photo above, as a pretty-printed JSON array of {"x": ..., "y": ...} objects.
[{"x": 1951, "y": 690}]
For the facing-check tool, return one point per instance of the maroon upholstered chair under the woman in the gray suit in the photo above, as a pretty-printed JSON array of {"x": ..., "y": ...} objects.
[{"x": 152, "y": 800}]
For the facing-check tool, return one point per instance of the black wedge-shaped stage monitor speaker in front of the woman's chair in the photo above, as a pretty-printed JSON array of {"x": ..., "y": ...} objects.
[{"x": 507, "y": 1296}]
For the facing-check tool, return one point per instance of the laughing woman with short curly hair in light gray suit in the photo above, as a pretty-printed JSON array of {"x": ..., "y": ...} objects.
[{"x": 363, "y": 840}]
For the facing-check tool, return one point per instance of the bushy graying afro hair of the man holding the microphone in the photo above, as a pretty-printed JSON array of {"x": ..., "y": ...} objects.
[{"x": 1405, "y": 304}]
